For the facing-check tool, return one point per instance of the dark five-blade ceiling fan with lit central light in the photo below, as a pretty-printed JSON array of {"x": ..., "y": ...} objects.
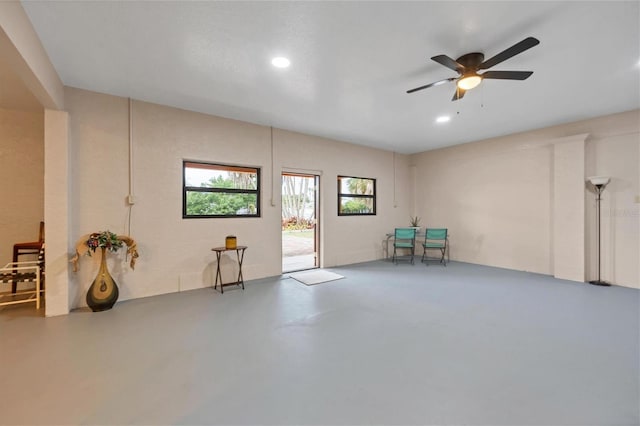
[{"x": 468, "y": 66}]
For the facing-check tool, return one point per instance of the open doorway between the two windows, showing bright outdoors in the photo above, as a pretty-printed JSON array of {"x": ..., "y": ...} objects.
[{"x": 300, "y": 241}]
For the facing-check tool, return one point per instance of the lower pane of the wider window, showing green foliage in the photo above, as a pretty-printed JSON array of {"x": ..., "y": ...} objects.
[{"x": 221, "y": 204}]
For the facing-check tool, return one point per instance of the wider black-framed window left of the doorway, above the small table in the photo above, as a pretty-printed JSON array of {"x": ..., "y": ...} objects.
[{"x": 218, "y": 190}]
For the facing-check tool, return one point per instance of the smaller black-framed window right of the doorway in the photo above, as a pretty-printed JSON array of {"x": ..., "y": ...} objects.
[{"x": 356, "y": 196}]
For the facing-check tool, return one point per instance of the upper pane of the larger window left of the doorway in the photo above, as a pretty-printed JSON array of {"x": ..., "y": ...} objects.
[{"x": 212, "y": 176}]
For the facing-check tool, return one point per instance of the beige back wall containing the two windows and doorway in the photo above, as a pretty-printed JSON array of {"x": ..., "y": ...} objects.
[{"x": 175, "y": 253}]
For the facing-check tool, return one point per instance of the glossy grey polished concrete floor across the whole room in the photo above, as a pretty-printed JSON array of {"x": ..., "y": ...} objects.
[{"x": 388, "y": 344}]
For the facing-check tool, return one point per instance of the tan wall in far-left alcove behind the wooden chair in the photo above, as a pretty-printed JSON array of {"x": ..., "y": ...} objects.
[{"x": 22, "y": 177}]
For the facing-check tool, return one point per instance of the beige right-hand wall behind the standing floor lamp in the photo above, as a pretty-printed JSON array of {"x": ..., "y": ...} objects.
[{"x": 497, "y": 198}]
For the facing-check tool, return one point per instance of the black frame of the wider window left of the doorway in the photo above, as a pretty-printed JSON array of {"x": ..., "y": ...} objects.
[{"x": 220, "y": 166}]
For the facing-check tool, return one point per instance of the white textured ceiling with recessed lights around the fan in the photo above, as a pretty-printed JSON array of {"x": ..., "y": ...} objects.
[{"x": 352, "y": 62}]
